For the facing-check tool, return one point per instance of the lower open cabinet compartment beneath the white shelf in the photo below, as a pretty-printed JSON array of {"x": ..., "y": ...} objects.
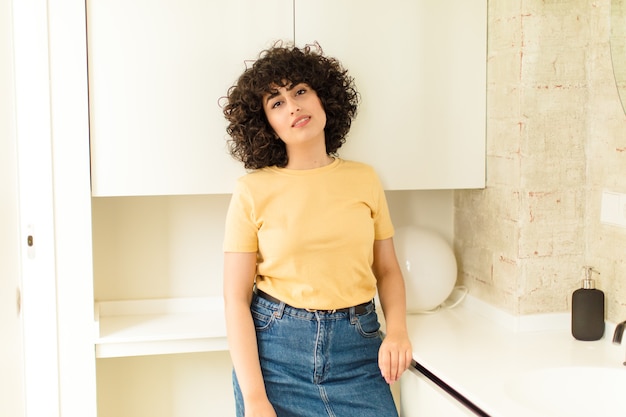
[{"x": 186, "y": 385}]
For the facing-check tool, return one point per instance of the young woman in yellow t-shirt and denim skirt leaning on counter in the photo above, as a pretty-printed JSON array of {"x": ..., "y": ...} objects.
[{"x": 308, "y": 243}]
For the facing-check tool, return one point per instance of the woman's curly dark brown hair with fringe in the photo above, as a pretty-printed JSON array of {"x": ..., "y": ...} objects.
[{"x": 252, "y": 139}]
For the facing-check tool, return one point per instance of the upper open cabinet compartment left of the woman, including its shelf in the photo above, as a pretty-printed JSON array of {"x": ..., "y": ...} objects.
[{"x": 158, "y": 274}]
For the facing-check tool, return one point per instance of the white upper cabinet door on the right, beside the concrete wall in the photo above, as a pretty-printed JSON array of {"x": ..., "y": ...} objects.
[{"x": 420, "y": 66}]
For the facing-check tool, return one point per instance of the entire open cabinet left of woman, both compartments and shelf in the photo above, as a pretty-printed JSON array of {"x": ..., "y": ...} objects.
[{"x": 160, "y": 337}]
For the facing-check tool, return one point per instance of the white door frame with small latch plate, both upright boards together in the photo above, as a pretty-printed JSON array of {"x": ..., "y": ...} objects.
[{"x": 52, "y": 129}]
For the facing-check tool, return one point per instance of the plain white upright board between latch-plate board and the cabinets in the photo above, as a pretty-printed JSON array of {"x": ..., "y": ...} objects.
[{"x": 72, "y": 207}]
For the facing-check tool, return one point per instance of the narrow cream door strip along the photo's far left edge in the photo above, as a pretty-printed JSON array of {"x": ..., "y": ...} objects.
[{"x": 11, "y": 353}]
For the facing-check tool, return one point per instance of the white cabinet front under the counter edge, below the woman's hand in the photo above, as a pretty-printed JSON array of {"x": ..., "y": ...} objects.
[{"x": 420, "y": 397}]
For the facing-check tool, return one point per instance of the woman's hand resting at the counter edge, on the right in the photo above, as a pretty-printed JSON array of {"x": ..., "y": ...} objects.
[{"x": 395, "y": 356}]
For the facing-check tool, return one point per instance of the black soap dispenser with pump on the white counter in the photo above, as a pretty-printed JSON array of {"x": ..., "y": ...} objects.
[{"x": 588, "y": 309}]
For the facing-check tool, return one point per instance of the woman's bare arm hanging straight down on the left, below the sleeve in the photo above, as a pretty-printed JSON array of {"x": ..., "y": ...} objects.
[{"x": 239, "y": 274}]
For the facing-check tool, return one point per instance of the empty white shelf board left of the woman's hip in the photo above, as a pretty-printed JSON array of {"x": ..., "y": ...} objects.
[{"x": 159, "y": 326}]
